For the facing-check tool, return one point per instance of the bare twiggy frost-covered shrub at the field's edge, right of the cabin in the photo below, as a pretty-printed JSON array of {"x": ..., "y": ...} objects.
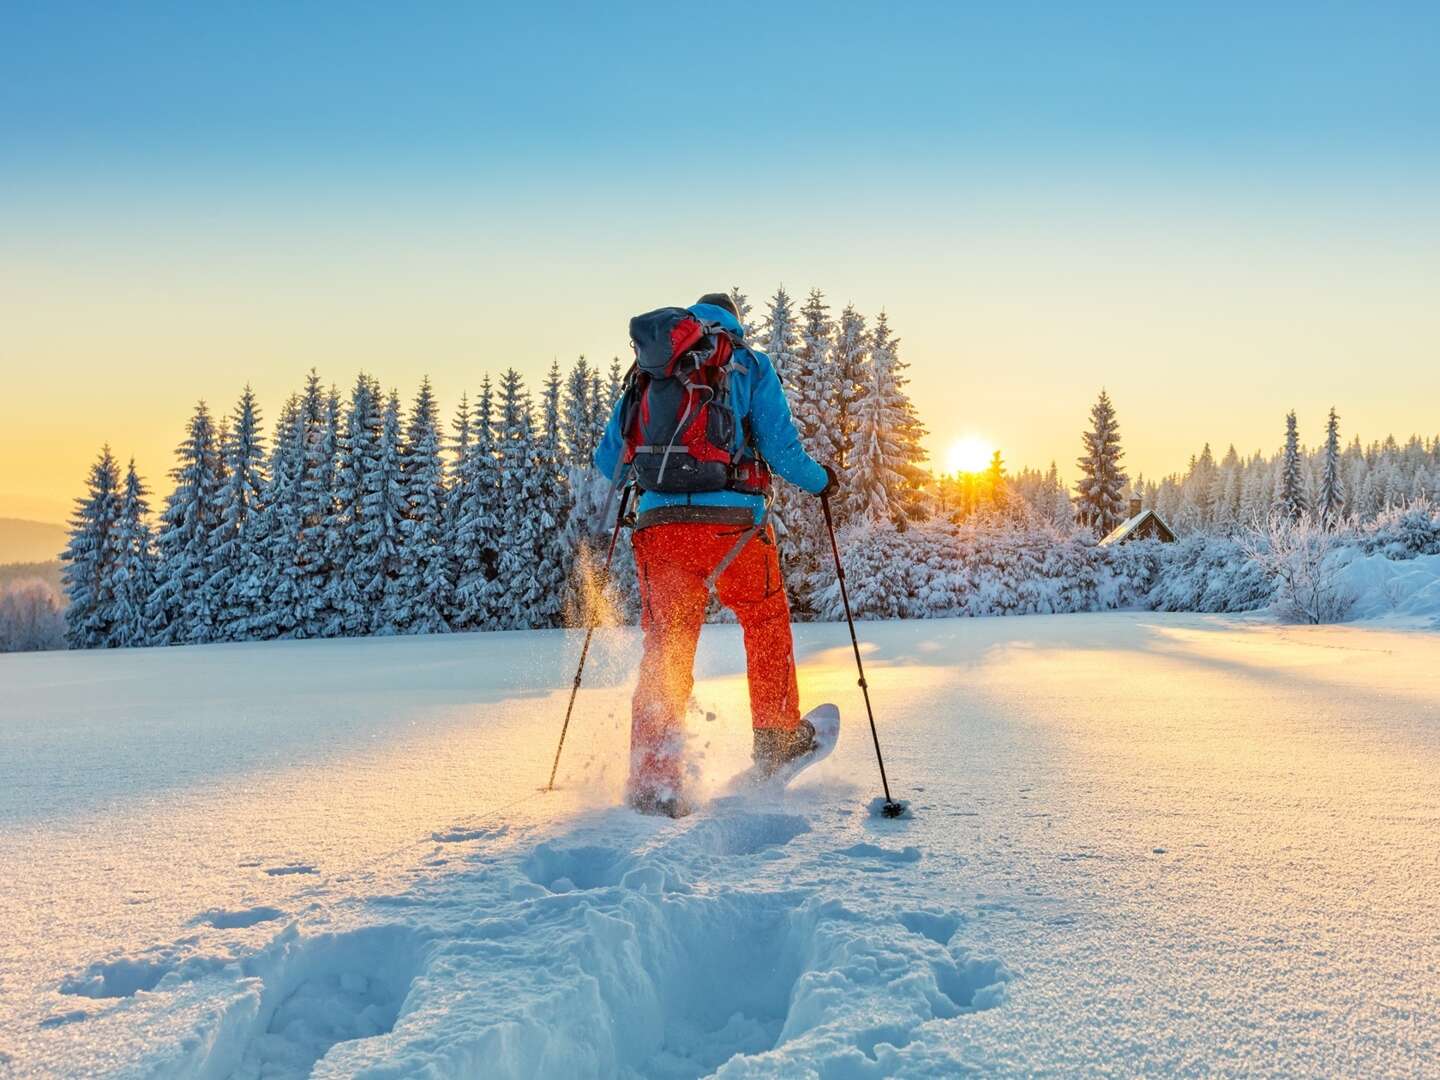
[{"x": 1304, "y": 559}]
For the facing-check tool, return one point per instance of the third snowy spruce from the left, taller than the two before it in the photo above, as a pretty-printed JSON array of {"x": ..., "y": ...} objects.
[{"x": 185, "y": 606}]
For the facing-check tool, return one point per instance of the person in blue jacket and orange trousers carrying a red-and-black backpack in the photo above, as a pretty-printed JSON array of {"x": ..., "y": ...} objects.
[{"x": 701, "y": 427}]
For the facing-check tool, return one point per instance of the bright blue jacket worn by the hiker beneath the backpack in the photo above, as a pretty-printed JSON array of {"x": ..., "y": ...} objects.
[{"x": 757, "y": 394}]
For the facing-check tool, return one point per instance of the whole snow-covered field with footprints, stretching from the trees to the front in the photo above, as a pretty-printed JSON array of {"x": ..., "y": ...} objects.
[{"x": 1143, "y": 845}]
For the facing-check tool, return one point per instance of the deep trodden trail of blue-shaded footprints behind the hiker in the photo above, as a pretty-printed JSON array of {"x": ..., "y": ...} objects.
[{"x": 639, "y": 960}]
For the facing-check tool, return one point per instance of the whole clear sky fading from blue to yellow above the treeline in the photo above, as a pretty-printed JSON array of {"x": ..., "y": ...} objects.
[{"x": 1048, "y": 198}]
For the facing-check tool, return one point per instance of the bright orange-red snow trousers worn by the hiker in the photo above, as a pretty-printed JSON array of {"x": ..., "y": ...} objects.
[{"x": 673, "y": 562}]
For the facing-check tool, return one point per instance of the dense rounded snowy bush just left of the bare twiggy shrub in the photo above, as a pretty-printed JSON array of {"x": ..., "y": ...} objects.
[{"x": 1209, "y": 574}]
